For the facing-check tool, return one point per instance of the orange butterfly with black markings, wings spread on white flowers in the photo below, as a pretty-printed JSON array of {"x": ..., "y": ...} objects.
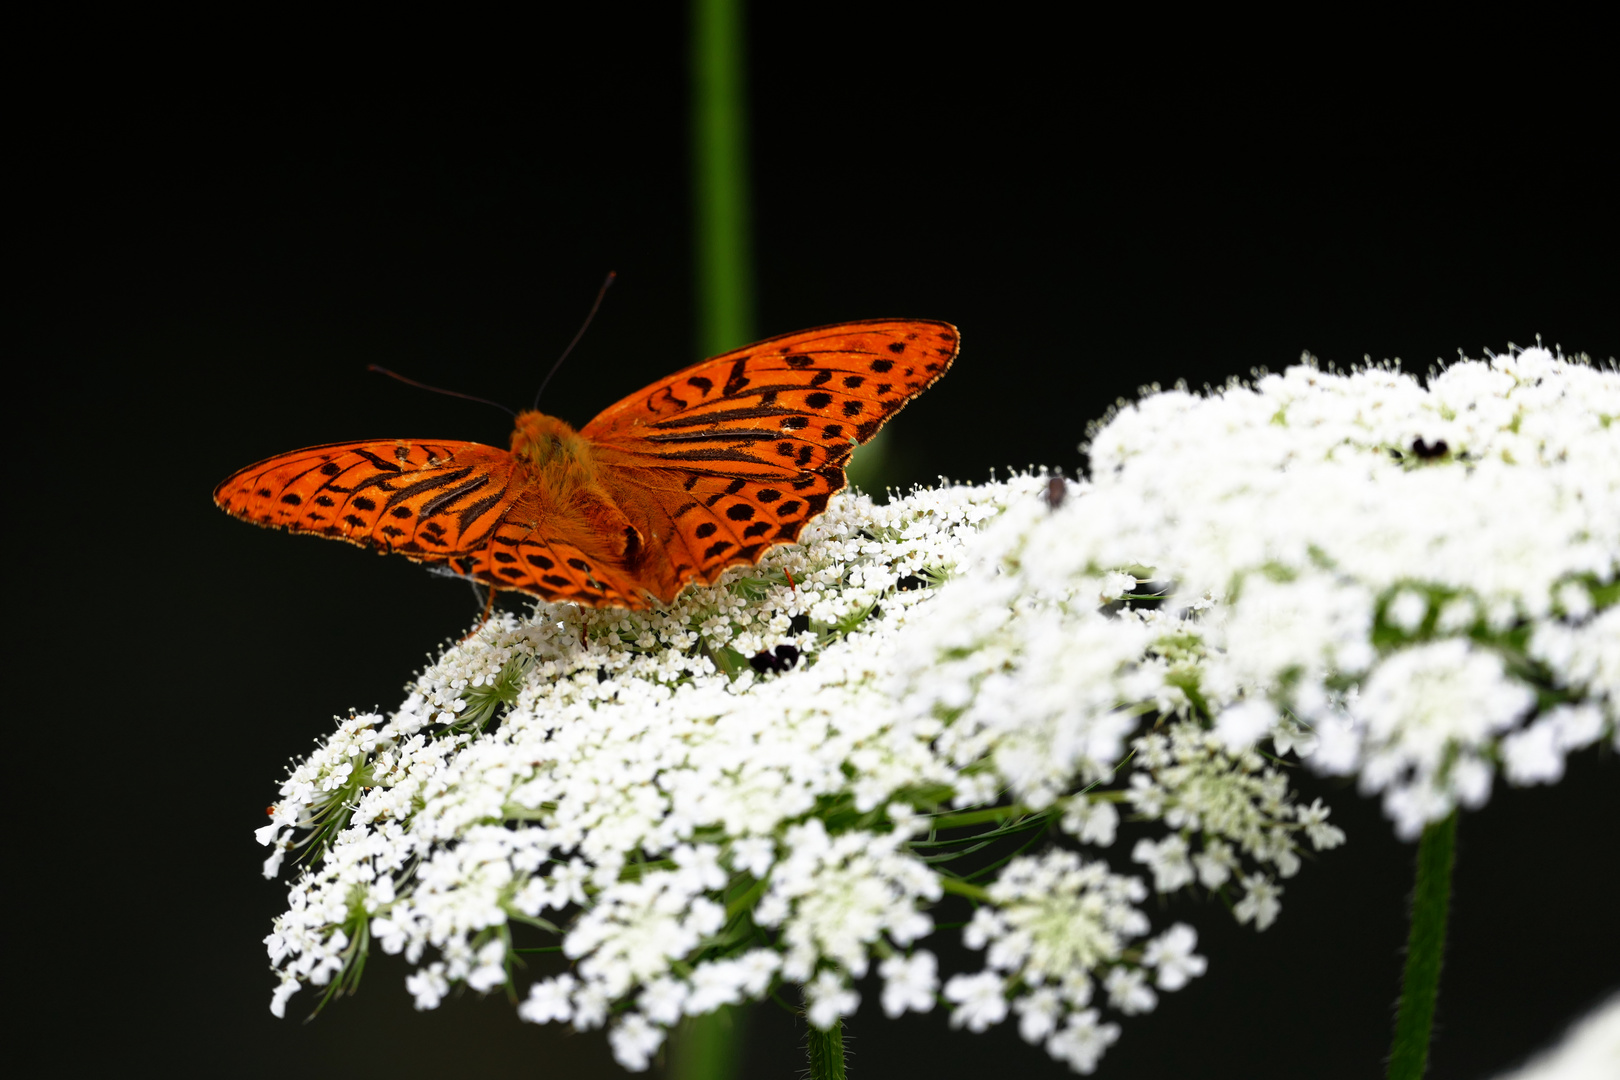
[{"x": 702, "y": 470}]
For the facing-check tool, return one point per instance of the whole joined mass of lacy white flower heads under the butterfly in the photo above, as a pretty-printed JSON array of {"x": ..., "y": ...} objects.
[{"x": 767, "y": 784}]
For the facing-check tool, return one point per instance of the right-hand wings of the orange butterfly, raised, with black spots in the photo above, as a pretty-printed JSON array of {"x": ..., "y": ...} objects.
[{"x": 743, "y": 451}]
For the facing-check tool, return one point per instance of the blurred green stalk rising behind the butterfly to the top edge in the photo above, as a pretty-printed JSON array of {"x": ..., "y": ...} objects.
[{"x": 720, "y": 177}]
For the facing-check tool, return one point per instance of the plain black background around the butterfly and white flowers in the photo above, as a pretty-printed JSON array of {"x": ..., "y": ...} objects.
[{"x": 211, "y": 253}]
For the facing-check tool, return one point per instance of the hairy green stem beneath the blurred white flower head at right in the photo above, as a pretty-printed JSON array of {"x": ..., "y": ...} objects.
[{"x": 1425, "y": 951}]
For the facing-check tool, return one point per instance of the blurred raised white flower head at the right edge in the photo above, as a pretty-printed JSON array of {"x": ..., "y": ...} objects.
[{"x": 1412, "y": 582}]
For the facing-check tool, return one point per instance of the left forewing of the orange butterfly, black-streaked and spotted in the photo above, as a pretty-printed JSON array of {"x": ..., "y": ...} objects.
[{"x": 424, "y": 500}]
